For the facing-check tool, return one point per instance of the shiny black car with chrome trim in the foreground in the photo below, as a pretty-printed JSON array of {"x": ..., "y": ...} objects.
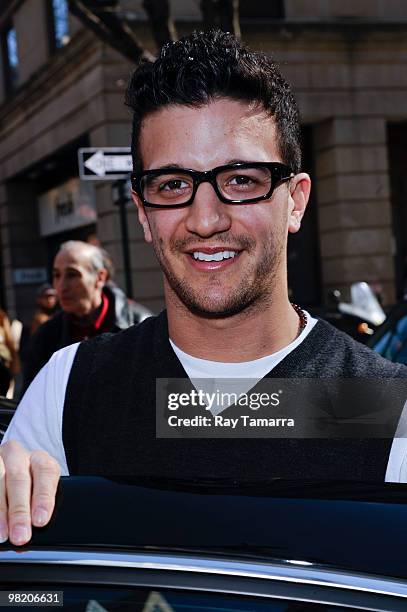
[{"x": 215, "y": 546}]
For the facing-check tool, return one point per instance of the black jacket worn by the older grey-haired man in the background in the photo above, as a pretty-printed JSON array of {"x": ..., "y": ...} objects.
[{"x": 56, "y": 332}]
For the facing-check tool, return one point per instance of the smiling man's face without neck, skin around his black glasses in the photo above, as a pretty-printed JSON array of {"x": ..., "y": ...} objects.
[{"x": 222, "y": 132}]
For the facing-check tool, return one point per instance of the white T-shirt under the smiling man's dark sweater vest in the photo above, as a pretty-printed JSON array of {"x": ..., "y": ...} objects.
[{"x": 38, "y": 420}]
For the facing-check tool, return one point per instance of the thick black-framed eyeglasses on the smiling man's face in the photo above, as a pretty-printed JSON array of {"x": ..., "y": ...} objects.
[{"x": 241, "y": 183}]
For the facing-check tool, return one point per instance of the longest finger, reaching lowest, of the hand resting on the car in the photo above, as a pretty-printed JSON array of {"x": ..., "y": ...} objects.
[{"x": 18, "y": 486}]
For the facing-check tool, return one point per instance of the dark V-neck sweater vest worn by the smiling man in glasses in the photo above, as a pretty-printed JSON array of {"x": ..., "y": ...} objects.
[{"x": 109, "y": 414}]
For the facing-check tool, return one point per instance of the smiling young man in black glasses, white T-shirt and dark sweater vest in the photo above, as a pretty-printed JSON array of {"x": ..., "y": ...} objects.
[{"x": 218, "y": 187}]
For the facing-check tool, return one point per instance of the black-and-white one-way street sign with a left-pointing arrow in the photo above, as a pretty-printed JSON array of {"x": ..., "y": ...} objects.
[{"x": 104, "y": 163}]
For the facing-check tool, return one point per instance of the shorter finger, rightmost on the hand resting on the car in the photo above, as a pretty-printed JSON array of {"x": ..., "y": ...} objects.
[{"x": 45, "y": 471}]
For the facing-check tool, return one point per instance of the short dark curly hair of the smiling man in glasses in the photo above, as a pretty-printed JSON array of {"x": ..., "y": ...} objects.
[{"x": 208, "y": 65}]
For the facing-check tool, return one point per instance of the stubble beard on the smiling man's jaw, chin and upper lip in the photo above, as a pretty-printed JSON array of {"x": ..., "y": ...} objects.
[{"x": 254, "y": 290}]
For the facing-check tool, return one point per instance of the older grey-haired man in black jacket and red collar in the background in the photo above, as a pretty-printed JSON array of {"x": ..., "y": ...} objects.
[{"x": 88, "y": 305}]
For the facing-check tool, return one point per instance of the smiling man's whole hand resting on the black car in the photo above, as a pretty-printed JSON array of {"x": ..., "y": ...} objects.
[{"x": 28, "y": 485}]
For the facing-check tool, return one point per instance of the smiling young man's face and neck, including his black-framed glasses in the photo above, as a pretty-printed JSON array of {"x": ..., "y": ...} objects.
[{"x": 221, "y": 260}]
